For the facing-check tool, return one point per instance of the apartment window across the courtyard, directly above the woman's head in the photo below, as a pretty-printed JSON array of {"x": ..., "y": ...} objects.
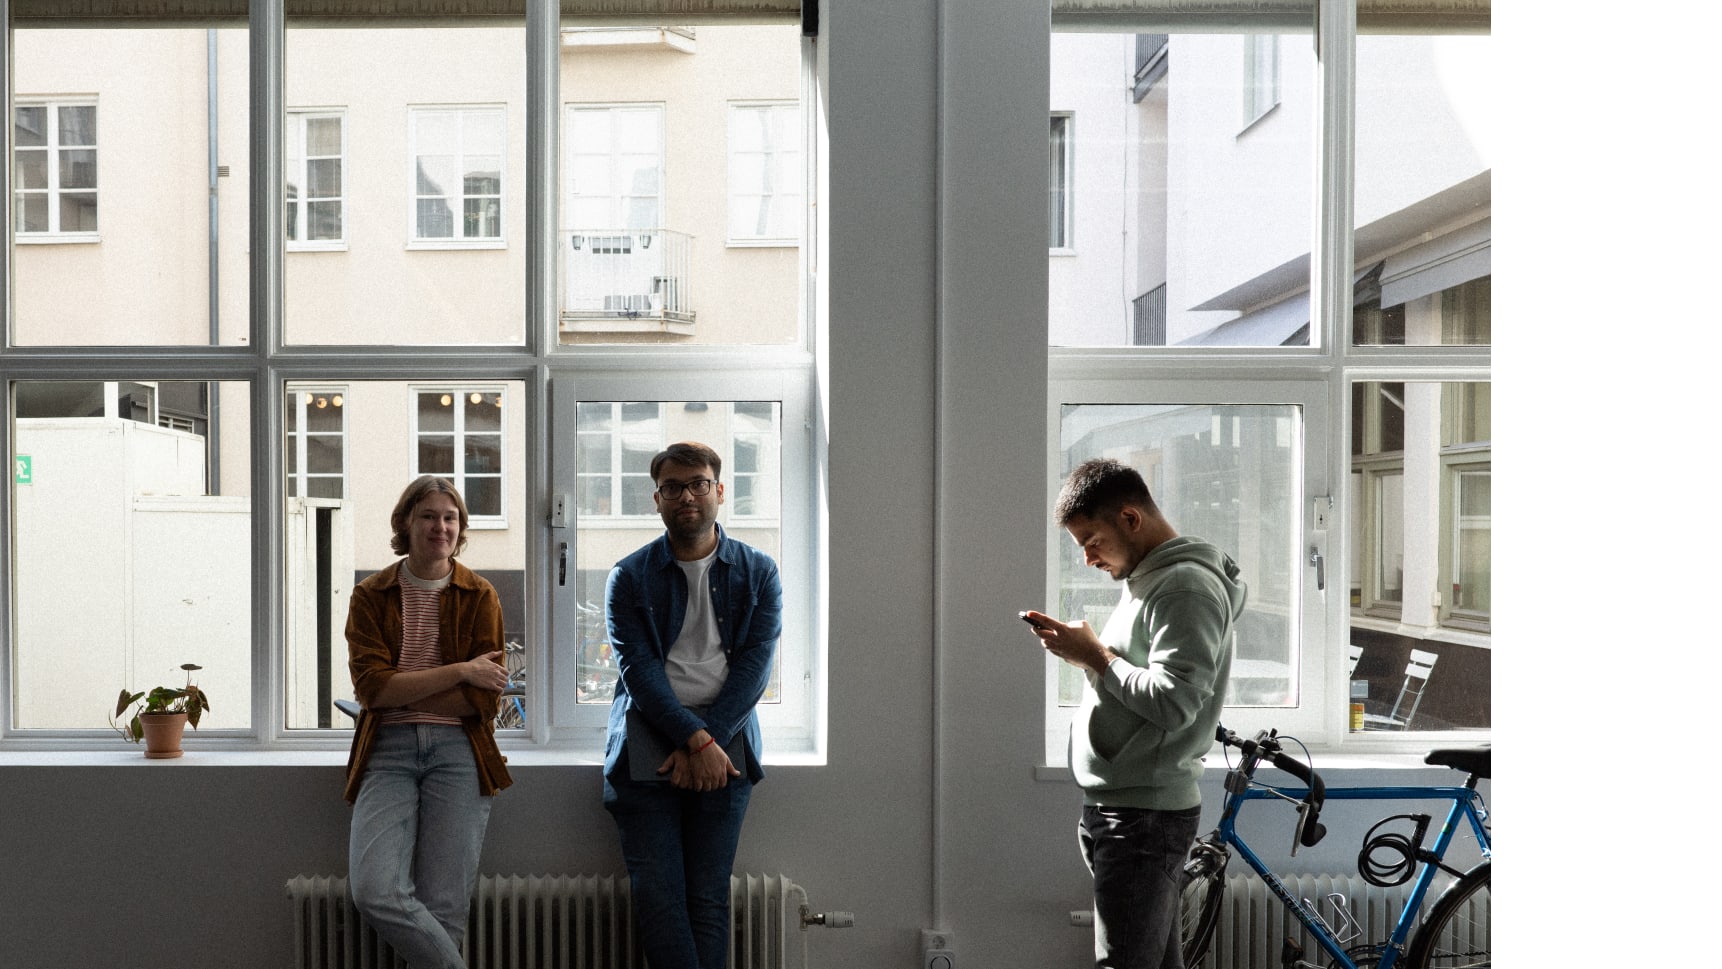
[{"x": 459, "y": 436}]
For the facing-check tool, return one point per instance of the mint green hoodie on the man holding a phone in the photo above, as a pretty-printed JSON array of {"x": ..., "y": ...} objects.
[{"x": 1139, "y": 738}]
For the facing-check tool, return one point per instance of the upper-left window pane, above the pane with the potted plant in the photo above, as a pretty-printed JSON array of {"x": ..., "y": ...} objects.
[{"x": 127, "y": 204}]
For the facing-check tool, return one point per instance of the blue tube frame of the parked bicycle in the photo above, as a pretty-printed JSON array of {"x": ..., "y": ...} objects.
[{"x": 1466, "y": 806}]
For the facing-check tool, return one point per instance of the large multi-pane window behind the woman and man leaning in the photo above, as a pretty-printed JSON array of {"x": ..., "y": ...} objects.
[{"x": 383, "y": 354}]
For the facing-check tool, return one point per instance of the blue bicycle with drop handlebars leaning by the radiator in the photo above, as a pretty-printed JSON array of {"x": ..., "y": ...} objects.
[{"x": 1449, "y": 939}]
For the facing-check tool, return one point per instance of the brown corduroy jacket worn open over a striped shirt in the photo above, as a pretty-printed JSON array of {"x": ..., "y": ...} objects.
[{"x": 471, "y": 626}]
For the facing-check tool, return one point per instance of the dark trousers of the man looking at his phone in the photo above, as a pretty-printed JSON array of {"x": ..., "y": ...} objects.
[{"x": 1136, "y": 858}]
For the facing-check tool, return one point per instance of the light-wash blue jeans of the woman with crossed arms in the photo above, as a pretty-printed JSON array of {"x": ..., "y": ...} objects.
[{"x": 418, "y": 834}]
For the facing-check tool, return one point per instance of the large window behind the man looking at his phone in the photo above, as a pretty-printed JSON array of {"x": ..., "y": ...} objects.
[{"x": 1191, "y": 240}]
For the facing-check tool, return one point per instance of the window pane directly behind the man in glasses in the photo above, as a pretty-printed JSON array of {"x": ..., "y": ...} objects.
[{"x": 604, "y": 538}]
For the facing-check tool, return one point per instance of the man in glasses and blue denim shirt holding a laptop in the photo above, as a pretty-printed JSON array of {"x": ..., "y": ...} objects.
[{"x": 695, "y": 619}]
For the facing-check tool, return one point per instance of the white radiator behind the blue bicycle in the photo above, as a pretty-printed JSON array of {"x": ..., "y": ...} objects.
[{"x": 1254, "y": 925}]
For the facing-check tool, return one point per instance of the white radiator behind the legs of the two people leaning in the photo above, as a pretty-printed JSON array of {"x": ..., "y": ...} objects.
[{"x": 555, "y": 922}]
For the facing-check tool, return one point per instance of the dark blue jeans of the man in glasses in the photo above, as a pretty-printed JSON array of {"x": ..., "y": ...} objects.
[{"x": 679, "y": 848}]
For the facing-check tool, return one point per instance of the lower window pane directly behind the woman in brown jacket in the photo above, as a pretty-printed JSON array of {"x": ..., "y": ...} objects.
[{"x": 338, "y": 538}]
